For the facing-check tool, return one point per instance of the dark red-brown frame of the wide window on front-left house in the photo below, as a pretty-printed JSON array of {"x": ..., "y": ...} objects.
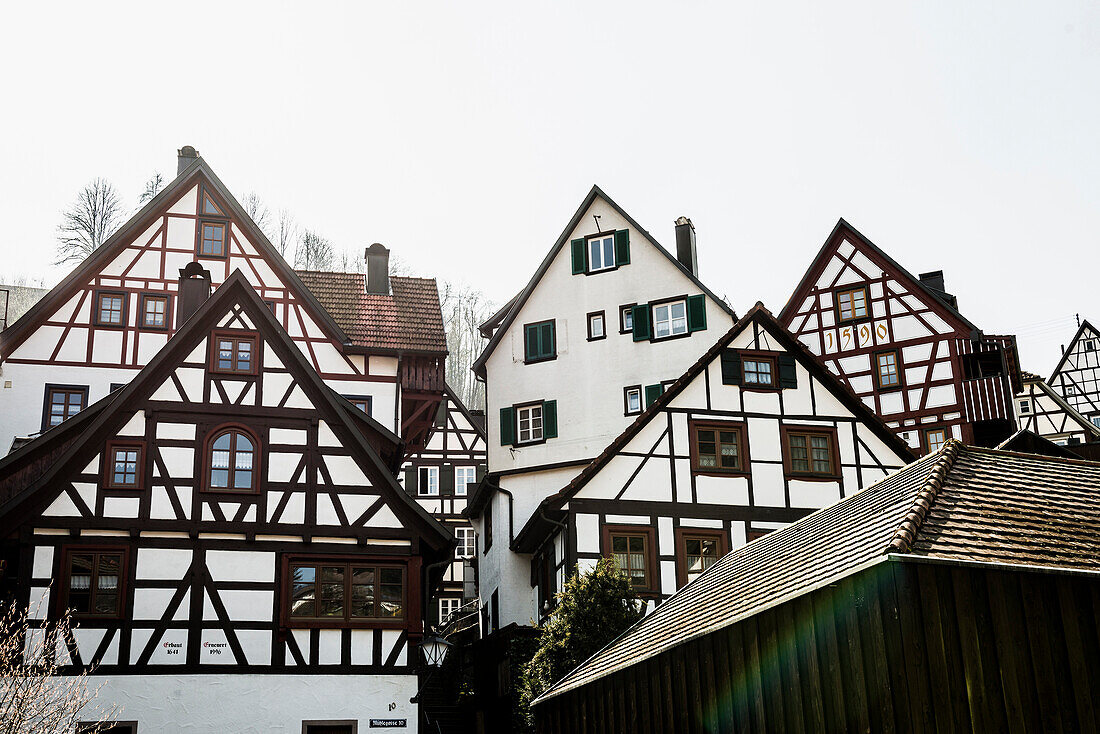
[{"x": 347, "y": 622}]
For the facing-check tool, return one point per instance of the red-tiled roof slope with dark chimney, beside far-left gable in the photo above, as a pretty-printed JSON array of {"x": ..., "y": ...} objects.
[{"x": 409, "y": 320}]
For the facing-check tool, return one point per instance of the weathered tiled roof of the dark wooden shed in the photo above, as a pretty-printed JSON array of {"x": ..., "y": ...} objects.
[{"x": 963, "y": 503}]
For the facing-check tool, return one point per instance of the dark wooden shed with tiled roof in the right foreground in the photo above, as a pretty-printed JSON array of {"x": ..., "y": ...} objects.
[{"x": 962, "y": 594}]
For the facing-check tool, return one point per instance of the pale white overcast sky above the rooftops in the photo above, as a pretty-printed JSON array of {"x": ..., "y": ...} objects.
[{"x": 961, "y": 137}]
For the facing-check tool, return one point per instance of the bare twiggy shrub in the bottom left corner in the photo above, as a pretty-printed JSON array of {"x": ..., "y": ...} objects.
[{"x": 37, "y": 696}]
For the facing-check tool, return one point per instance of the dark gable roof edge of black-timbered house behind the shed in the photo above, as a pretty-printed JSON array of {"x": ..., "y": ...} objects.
[{"x": 758, "y": 314}]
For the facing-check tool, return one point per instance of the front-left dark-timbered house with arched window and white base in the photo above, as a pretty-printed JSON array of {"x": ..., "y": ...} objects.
[{"x": 230, "y": 535}]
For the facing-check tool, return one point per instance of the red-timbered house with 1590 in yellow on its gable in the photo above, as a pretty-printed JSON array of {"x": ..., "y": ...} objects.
[{"x": 903, "y": 346}]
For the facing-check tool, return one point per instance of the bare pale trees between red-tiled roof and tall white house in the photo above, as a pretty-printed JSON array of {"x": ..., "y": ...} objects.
[{"x": 465, "y": 310}]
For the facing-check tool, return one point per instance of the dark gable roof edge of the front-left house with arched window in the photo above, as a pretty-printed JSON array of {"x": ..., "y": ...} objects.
[{"x": 89, "y": 429}]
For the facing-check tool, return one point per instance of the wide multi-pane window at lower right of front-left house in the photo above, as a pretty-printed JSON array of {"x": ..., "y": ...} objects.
[{"x": 345, "y": 591}]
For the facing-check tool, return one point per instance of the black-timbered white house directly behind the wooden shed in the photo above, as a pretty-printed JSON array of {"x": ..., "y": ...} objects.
[{"x": 755, "y": 435}]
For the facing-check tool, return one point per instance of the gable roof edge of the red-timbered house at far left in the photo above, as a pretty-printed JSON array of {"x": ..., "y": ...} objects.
[{"x": 15, "y": 335}]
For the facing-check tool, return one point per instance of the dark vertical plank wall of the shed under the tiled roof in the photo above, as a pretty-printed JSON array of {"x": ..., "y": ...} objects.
[{"x": 899, "y": 648}]
